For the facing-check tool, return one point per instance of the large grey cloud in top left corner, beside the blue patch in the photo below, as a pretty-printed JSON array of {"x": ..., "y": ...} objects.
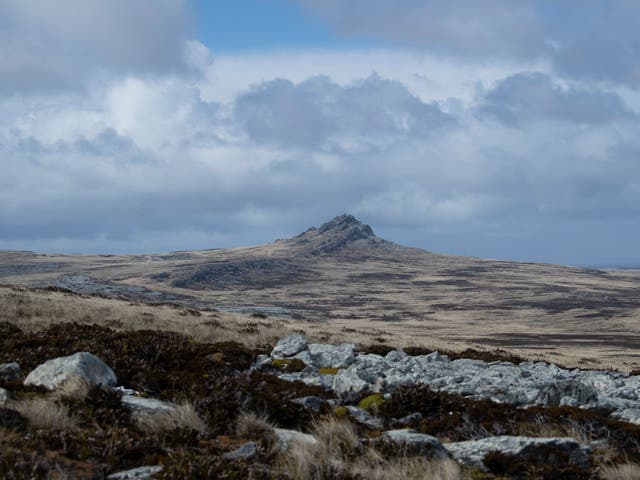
[{"x": 48, "y": 46}]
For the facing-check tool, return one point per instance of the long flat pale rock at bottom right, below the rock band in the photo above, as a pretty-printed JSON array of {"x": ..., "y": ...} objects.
[{"x": 472, "y": 452}]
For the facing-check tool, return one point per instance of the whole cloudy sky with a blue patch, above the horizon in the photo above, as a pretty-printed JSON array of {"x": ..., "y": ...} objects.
[{"x": 497, "y": 128}]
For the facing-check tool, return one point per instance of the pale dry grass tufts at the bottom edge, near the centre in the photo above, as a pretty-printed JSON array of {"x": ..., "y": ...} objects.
[{"x": 338, "y": 453}]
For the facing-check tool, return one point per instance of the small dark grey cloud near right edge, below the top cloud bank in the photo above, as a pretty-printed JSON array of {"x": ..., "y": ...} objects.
[{"x": 535, "y": 96}]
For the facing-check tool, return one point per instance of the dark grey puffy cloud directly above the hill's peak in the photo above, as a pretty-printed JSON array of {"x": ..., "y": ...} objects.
[{"x": 317, "y": 111}]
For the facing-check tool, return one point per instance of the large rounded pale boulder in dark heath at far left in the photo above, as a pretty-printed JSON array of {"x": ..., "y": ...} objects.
[{"x": 83, "y": 365}]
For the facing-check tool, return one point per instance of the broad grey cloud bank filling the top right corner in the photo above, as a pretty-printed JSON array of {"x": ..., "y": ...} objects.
[{"x": 582, "y": 39}]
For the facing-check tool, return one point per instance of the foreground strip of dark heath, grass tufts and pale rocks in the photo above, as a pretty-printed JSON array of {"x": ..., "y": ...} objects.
[{"x": 83, "y": 401}]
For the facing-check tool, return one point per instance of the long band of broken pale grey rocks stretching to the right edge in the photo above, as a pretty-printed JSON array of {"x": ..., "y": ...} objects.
[{"x": 526, "y": 384}]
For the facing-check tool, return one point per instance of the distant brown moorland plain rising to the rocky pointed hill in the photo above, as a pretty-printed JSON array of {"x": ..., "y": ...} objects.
[{"x": 342, "y": 275}]
